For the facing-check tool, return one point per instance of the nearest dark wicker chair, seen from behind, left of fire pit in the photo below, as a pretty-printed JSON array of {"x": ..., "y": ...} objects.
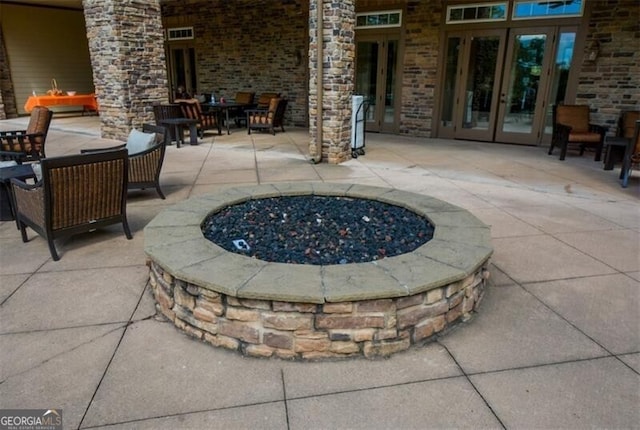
[{"x": 76, "y": 194}]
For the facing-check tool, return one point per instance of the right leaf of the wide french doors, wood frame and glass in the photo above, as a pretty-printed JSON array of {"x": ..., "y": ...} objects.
[{"x": 521, "y": 112}]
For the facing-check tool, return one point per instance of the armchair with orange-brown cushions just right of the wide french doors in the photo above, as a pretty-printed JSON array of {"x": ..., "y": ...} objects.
[{"x": 571, "y": 126}]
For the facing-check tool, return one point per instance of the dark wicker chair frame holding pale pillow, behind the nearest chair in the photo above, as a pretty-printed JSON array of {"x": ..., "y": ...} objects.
[{"x": 145, "y": 166}]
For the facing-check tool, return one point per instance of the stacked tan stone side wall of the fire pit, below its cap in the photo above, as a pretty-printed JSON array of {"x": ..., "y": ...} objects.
[{"x": 265, "y": 328}]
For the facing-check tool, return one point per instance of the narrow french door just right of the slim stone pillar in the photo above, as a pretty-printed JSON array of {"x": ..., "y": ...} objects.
[{"x": 376, "y": 79}]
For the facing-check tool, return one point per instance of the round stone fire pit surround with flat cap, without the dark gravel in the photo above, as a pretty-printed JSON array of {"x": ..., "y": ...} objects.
[{"x": 302, "y": 311}]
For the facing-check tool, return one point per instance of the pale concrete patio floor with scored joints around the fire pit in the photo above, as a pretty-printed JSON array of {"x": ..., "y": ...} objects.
[{"x": 556, "y": 343}]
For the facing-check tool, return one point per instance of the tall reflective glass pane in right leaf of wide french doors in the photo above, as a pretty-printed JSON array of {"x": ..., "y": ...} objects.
[{"x": 524, "y": 79}]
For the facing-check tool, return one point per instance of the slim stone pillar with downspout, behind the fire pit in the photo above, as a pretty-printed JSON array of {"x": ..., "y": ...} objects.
[{"x": 338, "y": 53}]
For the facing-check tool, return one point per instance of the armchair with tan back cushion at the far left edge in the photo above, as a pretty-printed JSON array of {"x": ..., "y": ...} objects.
[{"x": 27, "y": 145}]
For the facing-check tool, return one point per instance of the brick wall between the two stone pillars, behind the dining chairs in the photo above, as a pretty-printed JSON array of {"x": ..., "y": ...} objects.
[{"x": 243, "y": 45}]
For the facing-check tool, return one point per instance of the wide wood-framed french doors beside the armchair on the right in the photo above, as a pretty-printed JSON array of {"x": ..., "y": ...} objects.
[{"x": 499, "y": 85}]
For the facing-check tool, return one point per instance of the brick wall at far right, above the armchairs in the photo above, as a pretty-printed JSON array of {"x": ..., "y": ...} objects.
[{"x": 611, "y": 83}]
